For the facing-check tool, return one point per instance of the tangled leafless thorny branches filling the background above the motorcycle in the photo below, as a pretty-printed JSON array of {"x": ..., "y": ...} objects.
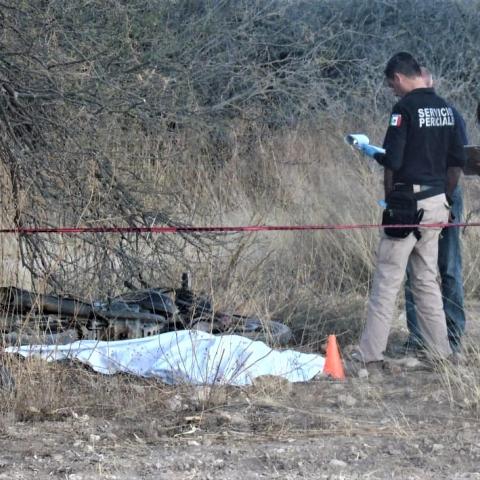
[{"x": 104, "y": 105}]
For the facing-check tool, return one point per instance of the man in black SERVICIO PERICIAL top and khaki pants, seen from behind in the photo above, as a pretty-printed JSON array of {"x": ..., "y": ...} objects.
[{"x": 423, "y": 162}]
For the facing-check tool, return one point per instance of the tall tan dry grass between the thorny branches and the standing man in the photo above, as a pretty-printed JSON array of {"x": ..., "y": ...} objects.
[{"x": 316, "y": 281}]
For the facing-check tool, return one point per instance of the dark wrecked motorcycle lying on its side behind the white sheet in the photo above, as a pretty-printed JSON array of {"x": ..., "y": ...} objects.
[{"x": 30, "y": 318}]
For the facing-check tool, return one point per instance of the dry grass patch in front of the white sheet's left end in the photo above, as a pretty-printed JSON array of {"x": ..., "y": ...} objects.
[{"x": 54, "y": 391}]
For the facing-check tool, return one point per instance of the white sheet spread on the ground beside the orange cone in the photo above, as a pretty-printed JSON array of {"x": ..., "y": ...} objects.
[{"x": 185, "y": 356}]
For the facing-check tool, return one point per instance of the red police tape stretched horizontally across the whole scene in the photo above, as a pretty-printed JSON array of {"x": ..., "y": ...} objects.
[{"x": 191, "y": 229}]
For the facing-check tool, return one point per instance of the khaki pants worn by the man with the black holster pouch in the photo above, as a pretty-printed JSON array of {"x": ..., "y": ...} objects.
[{"x": 392, "y": 258}]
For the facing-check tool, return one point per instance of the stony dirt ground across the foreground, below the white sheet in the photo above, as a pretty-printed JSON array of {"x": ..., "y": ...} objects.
[{"x": 405, "y": 422}]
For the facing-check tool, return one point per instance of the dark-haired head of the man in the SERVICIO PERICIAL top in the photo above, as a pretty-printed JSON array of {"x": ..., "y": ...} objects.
[{"x": 403, "y": 74}]
